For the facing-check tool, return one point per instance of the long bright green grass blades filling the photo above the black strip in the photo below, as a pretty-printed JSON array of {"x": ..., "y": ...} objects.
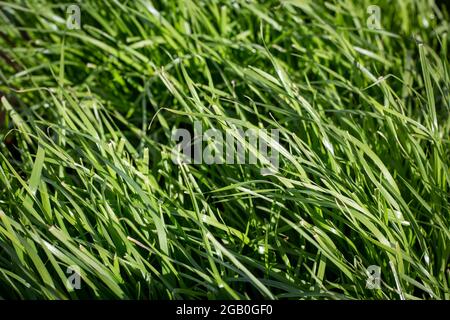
[{"x": 86, "y": 177}]
